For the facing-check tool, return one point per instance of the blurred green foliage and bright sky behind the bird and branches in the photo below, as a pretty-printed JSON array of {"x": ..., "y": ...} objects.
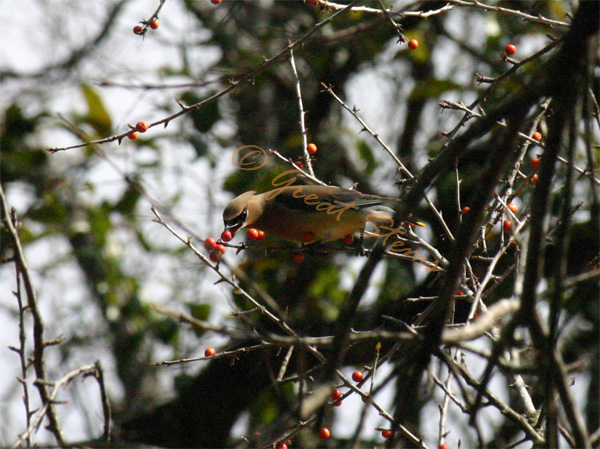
[{"x": 74, "y": 71}]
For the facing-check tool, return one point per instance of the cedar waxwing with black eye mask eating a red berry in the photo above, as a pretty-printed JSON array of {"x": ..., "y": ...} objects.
[{"x": 307, "y": 213}]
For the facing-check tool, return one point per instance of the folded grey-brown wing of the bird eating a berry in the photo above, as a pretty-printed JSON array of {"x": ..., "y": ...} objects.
[{"x": 305, "y": 198}]
